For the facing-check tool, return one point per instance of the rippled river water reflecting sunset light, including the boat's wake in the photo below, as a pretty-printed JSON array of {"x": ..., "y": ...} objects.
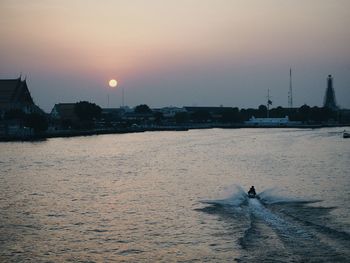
[{"x": 177, "y": 196}]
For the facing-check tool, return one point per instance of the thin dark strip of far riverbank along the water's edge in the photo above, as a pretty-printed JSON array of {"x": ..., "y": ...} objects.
[{"x": 77, "y": 133}]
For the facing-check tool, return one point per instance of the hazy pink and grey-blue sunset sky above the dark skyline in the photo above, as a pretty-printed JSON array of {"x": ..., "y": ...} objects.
[{"x": 177, "y": 53}]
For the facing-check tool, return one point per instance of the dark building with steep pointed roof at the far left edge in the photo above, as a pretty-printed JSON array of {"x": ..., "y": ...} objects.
[{"x": 15, "y": 95}]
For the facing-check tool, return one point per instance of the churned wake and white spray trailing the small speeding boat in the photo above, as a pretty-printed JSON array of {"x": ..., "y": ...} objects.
[{"x": 274, "y": 226}]
